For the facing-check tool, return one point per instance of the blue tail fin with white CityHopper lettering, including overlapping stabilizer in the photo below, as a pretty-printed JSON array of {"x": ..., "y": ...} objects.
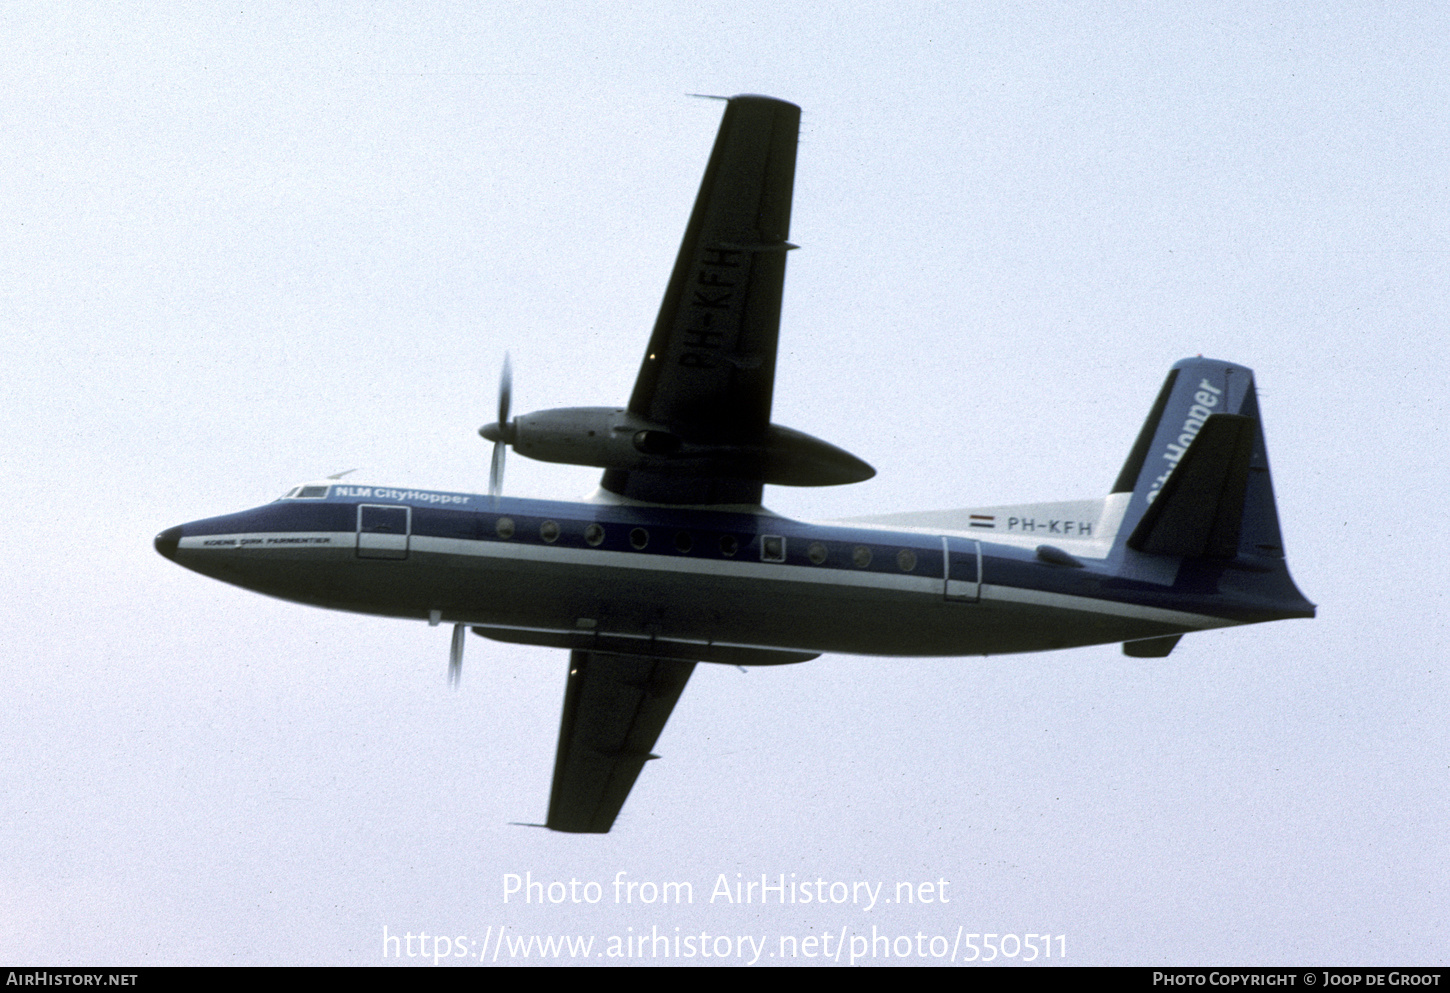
[{"x": 1198, "y": 475}]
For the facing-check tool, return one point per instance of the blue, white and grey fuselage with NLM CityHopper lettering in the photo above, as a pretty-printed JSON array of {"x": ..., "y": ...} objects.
[{"x": 724, "y": 585}]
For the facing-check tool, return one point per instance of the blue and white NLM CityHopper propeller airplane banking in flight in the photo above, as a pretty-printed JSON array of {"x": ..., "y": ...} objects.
[{"x": 676, "y": 562}]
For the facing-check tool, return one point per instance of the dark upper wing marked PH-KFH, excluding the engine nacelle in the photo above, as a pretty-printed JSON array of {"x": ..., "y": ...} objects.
[{"x": 711, "y": 366}]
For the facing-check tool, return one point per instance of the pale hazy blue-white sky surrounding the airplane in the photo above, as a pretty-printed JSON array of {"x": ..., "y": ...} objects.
[{"x": 243, "y": 247}]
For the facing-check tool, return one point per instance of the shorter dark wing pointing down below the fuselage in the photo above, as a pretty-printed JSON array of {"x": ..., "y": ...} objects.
[{"x": 616, "y": 708}]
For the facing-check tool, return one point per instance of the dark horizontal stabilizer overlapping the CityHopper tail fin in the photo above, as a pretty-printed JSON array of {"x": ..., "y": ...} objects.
[{"x": 1200, "y": 511}]
